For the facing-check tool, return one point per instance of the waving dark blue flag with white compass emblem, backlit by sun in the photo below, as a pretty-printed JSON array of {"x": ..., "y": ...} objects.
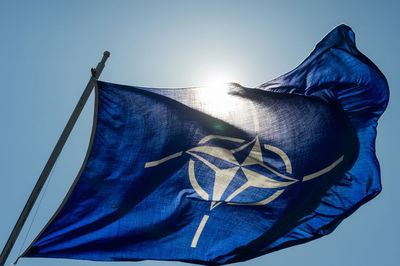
[{"x": 216, "y": 175}]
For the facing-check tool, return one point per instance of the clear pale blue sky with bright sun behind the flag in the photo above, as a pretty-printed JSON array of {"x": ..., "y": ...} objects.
[{"x": 48, "y": 48}]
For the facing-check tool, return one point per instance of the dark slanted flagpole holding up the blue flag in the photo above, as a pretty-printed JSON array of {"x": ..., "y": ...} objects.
[{"x": 53, "y": 158}]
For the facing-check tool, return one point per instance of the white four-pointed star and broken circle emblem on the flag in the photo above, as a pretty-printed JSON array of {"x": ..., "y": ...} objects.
[{"x": 223, "y": 177}]
